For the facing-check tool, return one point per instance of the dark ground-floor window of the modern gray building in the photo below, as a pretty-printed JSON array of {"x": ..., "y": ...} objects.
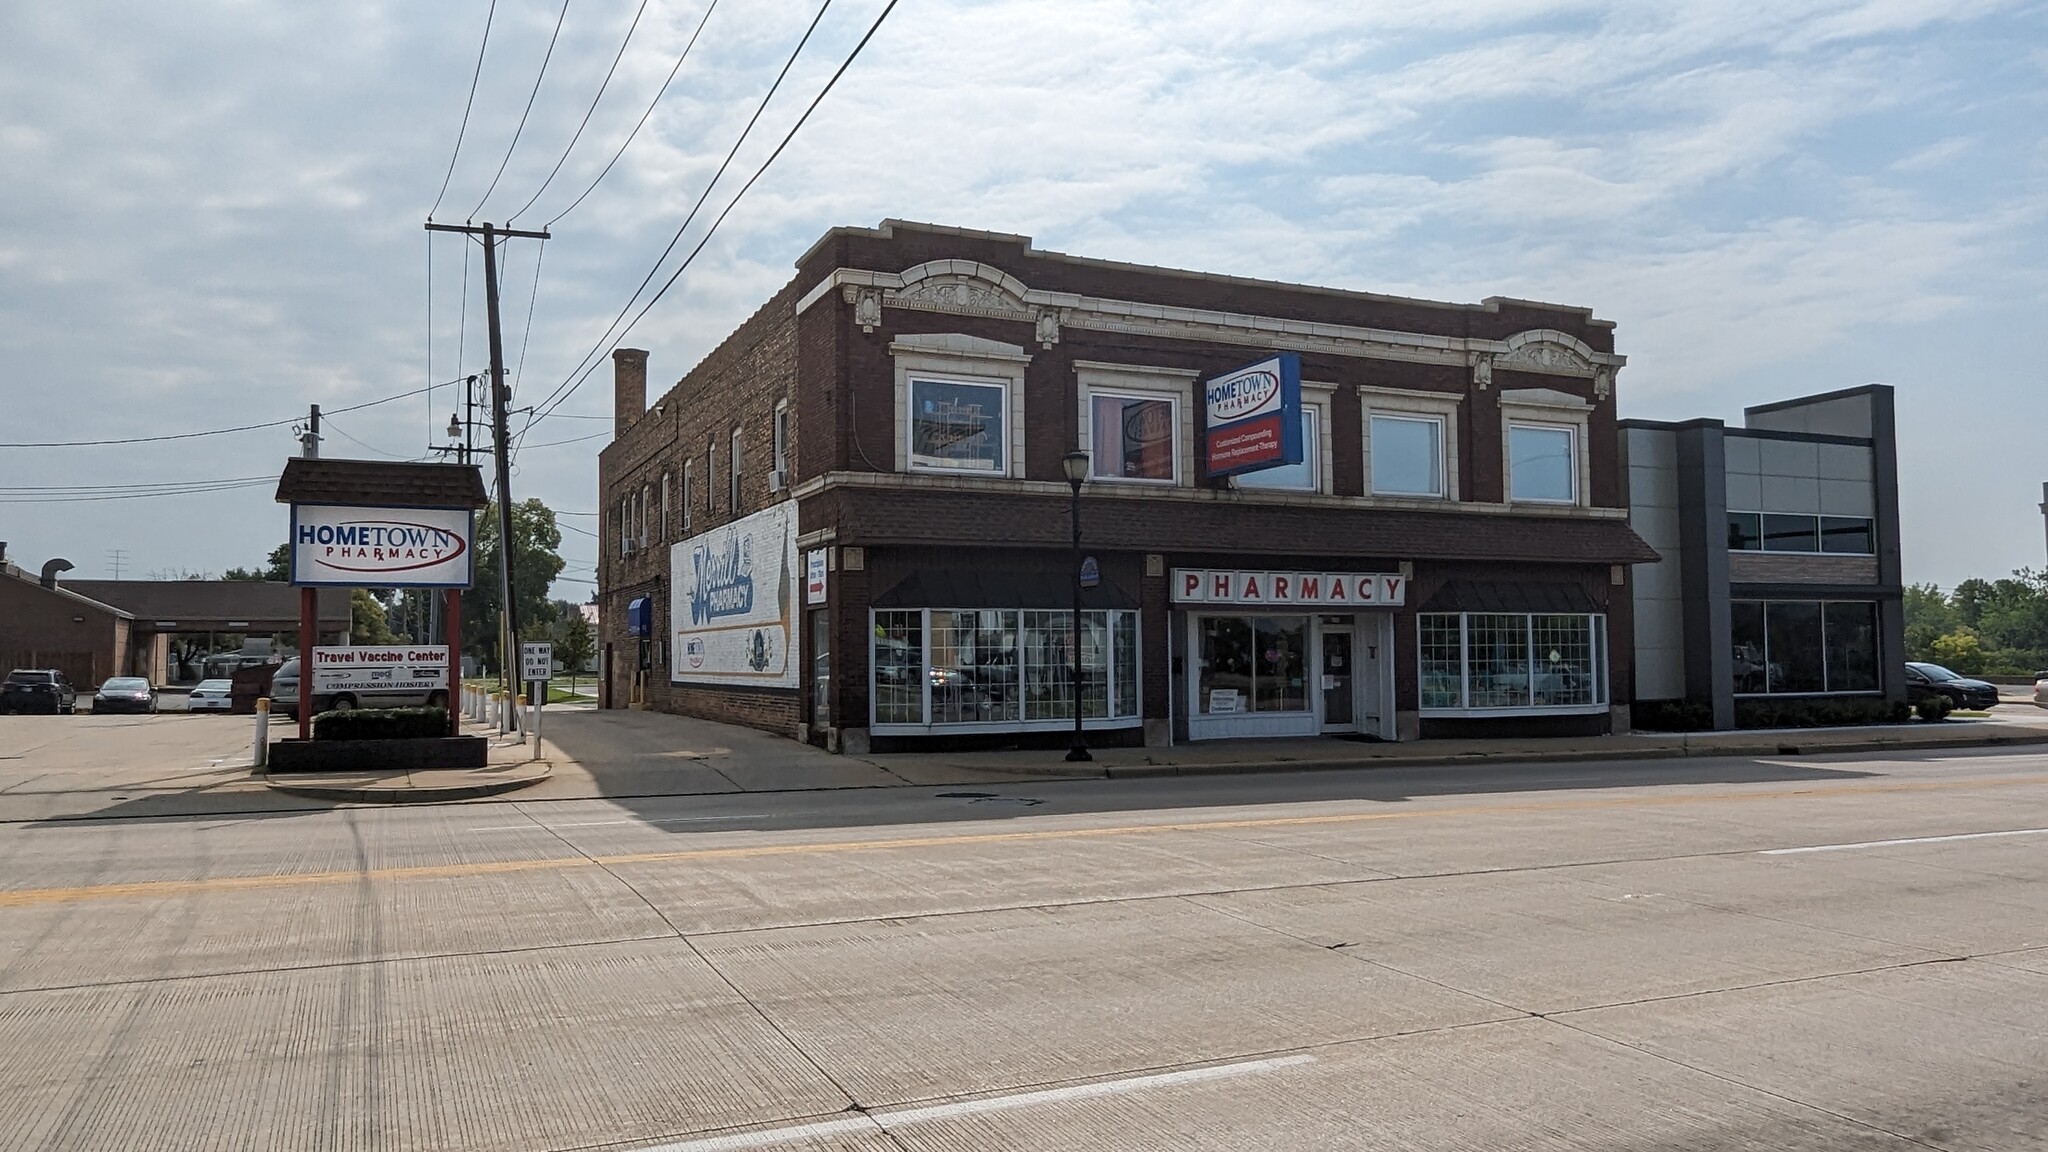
[{"x": 1803, "y": 647}]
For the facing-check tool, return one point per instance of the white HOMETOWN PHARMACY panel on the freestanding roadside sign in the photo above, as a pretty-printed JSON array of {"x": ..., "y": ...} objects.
[{"x": 382, "y": 548}]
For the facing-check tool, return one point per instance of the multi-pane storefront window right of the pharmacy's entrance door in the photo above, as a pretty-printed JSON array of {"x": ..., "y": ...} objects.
[{"x": 1512, "y": 661}]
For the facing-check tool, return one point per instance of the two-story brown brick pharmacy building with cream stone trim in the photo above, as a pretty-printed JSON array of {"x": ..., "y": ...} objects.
[{"x": 851, "y": 524}]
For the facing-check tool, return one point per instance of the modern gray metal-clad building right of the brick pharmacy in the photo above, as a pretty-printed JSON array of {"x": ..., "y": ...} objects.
[{"x": 1781, "y": 554}]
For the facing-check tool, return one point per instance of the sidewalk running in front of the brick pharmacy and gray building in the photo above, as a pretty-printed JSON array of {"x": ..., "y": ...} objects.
[{"x": 1213, "y": 757}]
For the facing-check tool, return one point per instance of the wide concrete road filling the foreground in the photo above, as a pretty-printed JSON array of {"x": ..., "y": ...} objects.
[{"x": 1682, "y": 954}]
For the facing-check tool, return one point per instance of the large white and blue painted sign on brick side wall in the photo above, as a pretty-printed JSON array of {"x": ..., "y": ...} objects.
[{"x": 732, "y": 600}]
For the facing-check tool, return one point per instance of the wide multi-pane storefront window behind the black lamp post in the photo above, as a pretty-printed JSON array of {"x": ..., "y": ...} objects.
[{"x": 1002, "y": 667}]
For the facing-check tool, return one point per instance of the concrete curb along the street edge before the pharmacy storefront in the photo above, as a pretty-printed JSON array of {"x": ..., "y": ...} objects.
[{"x": 1781, "y": 747}]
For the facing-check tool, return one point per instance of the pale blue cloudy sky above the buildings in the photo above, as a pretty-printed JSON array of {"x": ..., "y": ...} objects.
[{"x": 212, "y": 212}]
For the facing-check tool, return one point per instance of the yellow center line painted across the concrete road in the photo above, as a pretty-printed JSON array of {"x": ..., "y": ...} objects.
[{"x": 161, "y": 889}]
